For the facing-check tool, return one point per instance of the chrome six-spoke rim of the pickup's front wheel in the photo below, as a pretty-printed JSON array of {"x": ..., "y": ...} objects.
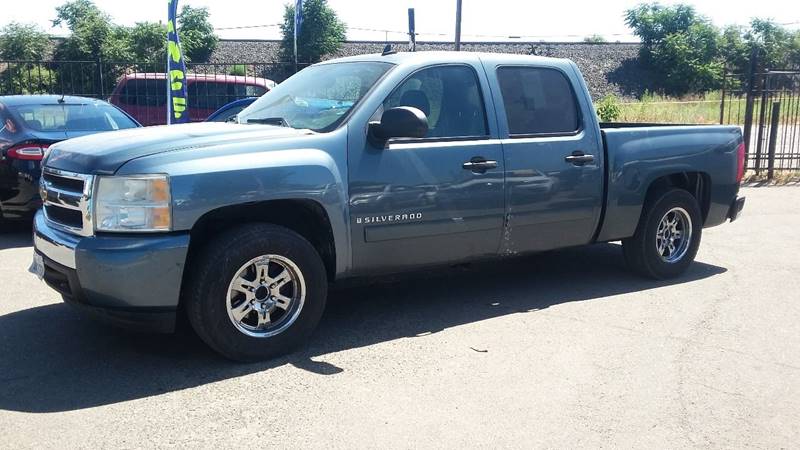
[{"x": 266, "y": 296}]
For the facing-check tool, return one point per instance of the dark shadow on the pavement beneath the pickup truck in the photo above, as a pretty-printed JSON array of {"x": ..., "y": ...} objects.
[{"x": 52, "y": 359}]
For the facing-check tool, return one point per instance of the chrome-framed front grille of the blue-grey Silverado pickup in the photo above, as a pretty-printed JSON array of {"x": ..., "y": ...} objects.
[{"x": 67, "y": 200}]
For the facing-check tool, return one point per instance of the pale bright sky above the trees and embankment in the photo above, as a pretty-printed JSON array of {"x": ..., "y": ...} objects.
[{"x": 483, "y": 20}]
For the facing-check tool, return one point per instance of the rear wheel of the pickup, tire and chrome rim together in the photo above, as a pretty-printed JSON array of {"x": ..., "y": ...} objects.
[{"x": 667, "y": 237}]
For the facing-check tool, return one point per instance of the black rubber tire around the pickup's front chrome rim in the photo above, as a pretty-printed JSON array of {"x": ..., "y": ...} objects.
[{"x": 212, "y": 272}]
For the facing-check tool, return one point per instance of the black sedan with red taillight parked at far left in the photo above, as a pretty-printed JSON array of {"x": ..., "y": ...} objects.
[{"x": 29, "y": 124}]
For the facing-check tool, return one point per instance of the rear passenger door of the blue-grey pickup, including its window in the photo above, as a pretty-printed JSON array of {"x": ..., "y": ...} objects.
[{"x": 553, "y": 159}]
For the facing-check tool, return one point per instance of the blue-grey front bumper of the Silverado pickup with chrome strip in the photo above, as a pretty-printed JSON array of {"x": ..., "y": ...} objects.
[{"x": 133, "y": 281}]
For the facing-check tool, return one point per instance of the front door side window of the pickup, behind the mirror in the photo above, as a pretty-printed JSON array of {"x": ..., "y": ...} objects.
[{"x": 449, "y": 96}]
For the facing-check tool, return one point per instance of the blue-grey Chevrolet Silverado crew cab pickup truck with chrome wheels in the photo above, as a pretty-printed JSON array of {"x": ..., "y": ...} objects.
[{"x": 361, "y": 166}]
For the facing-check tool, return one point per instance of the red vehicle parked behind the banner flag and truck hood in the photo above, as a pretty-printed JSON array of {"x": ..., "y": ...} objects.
[{"x": 144, "y": 95}]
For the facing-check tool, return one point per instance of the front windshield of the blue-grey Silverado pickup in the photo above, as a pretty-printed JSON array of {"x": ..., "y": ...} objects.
[{"x": 317, "y": 98}]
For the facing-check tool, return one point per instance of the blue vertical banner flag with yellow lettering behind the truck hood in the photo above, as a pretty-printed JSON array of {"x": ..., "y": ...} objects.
[{"x": 176, "y": 71}]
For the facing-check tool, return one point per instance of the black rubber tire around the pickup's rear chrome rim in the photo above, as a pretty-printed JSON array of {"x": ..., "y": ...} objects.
[{"x": 641, "y": 253}]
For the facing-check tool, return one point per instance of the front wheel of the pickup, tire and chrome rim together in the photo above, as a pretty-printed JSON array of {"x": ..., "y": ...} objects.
[{"x": 256, "y": 292}]
